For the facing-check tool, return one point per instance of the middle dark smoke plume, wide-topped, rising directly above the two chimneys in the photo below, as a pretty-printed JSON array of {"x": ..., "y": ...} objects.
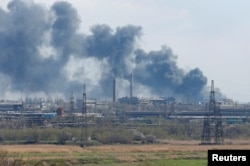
[{"x": 115, "y": 46}]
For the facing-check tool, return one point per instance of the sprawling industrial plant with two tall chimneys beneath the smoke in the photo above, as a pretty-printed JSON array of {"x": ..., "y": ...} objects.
[{"x": 45, "y": 112}]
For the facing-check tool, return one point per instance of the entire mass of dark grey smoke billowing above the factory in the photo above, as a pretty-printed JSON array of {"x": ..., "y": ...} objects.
[{"x": 42, "y": 51}]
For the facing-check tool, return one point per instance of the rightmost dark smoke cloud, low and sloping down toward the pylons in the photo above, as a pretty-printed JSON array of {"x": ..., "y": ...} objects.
[{"x": 159, "y": 71}]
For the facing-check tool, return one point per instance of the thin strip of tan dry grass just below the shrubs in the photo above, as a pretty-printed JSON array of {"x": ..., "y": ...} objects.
[{"x": 120, "y": 148}]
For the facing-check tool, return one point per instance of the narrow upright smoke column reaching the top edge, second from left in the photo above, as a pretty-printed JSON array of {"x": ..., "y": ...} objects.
[{"x": 64, "y": 27}]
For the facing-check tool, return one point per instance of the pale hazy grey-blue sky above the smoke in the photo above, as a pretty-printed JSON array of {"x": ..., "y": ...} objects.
[{"x": 209, "y": 34}]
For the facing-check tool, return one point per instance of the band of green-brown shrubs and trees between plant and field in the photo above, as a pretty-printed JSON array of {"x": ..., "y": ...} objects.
[{"x": 113, "y": 134}]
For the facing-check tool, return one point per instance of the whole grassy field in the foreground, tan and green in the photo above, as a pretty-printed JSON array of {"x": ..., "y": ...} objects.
[{"x": 174, "y": 154}]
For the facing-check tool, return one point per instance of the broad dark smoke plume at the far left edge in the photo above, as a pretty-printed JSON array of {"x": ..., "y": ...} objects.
[{"x": 21, "y": 32}]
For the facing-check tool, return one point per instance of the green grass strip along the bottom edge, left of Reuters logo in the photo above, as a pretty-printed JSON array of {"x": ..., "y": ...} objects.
[{"x": 174, "y": 158}]
